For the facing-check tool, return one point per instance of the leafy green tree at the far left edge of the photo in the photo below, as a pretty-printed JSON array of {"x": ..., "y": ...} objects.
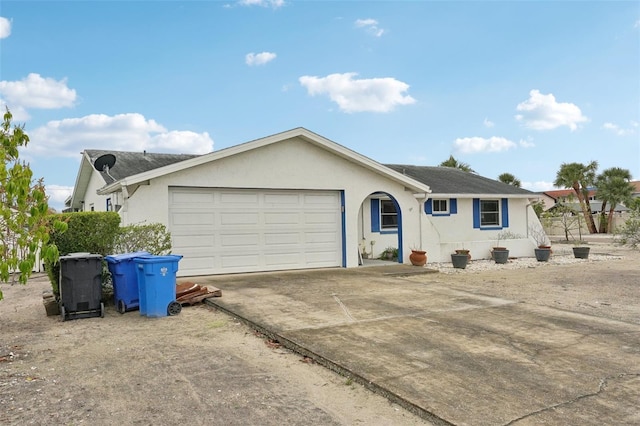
[{"x": 24, "y": 210}]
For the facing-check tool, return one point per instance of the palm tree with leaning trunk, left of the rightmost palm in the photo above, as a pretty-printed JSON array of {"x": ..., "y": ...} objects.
[{"x": 579, "y": 177}]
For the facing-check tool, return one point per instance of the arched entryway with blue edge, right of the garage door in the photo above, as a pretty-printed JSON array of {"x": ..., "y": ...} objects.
[{"x": 380, "y": 229}]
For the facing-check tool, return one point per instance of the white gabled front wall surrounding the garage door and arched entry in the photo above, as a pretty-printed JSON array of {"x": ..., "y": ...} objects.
[{"x": 292, "y": 164}]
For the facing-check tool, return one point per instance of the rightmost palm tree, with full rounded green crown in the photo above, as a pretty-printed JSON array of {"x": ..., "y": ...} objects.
[{"x": 613, "y": 187}]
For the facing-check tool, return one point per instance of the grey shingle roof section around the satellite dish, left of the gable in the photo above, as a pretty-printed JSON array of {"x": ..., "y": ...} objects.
[{"x": 131, "y": 163}]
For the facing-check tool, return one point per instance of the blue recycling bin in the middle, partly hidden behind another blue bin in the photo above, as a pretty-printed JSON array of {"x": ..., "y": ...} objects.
[{"x": 125, "y": 280}]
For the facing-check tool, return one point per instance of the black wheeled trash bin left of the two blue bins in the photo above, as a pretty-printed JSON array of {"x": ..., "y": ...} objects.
[{"x": 81, "y": 286}]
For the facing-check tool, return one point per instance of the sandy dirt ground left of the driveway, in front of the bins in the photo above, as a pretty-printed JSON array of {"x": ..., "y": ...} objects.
[{"x": 201, "y": 367}]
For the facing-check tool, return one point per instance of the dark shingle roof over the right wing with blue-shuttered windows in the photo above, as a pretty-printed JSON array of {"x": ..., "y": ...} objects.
[{"x": 449, "y": 180}]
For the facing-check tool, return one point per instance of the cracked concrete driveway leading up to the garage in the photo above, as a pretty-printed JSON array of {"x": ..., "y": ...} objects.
[{"x": 450, "y": 356}]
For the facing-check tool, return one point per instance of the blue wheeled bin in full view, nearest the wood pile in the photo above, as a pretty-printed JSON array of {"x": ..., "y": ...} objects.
[{"x": 157, "y": 285}]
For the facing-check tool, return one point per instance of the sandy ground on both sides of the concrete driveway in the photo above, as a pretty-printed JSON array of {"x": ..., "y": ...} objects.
[{"x": 205, "y": 367}]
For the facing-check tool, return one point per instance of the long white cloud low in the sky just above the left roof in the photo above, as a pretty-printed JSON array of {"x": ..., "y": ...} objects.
[{"x": 124, "y": 132}]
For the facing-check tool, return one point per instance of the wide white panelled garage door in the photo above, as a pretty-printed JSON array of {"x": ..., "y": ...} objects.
[{"x": 222, "y": 231}]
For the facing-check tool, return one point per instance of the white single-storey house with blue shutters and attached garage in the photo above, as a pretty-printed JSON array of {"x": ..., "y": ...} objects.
[{"x": 297, "y": 200}]
